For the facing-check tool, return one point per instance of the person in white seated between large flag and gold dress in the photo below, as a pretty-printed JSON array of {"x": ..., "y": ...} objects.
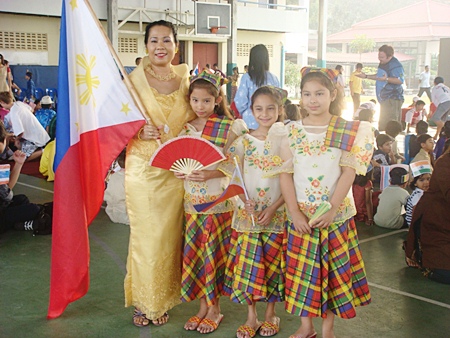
[{"x": 115, "y": 194}]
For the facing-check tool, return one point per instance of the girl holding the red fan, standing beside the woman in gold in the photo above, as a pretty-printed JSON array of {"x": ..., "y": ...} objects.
[{"x": 207, "y": 234}]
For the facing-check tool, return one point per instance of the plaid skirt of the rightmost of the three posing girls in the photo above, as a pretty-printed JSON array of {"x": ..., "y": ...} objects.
[{"x": 325, "y": 271}]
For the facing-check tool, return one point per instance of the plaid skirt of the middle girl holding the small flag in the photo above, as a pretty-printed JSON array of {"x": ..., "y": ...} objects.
[{"x": 254, "y": 267}]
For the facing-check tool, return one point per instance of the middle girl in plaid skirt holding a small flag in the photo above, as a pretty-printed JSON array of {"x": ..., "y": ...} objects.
[{"x": 254, "y": 260}]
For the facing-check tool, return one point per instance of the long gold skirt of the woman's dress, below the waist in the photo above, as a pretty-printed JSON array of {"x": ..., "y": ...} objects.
[{"x": 155, "y": 208}]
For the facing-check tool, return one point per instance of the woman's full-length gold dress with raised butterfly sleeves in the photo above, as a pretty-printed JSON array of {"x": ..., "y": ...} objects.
[{"x": 155, "y": 203}]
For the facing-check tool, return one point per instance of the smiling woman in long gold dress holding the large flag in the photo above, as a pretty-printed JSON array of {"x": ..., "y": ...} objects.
[{"x": 155, "y": 196}]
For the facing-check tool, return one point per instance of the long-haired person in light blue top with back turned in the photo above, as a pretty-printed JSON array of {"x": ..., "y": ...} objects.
[{"x": 258, "y": 75}]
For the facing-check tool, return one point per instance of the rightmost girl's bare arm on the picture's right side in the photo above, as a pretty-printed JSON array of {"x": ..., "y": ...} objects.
[{"x": 343, "y": 186}]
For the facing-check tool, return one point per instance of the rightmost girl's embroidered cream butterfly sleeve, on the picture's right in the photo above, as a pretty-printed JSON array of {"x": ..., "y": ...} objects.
[{"x": 360, "y": 155}]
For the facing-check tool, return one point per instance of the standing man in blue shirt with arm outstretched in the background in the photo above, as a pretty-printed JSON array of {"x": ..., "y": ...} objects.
[{"x": 390, "y": 78}]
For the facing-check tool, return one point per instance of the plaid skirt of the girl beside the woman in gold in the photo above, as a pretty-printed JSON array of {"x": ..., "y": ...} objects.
[{"x": 206, "y": 246}]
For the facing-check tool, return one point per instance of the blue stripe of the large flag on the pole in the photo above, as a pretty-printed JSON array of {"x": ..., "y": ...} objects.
[{"x": 63, "y": 120}]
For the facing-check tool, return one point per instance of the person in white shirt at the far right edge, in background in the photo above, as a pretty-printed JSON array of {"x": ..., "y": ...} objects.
[{"x": 441, "y": 99}]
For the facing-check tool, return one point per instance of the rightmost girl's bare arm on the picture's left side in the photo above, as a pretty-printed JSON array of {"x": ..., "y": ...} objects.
[{"x": 288, "y": 191}]
